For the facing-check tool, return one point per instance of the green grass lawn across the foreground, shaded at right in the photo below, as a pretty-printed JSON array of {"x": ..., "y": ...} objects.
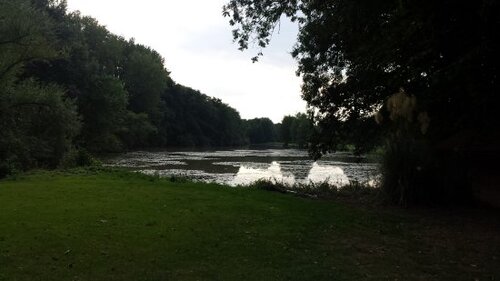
[{"x": 113, "y": 225}]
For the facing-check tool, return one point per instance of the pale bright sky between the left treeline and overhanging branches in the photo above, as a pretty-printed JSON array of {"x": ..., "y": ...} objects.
[{"x": 197, "y": 44}]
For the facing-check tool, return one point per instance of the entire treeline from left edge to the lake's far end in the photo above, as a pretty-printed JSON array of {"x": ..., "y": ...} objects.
[{"x": 67, "y": 83}]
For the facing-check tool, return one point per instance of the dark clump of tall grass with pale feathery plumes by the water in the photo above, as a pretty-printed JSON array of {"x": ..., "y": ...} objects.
[{"x": 413, "y": 174}]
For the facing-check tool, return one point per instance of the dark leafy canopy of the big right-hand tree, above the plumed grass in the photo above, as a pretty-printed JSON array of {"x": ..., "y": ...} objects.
[{"x": 354, "y": 55}]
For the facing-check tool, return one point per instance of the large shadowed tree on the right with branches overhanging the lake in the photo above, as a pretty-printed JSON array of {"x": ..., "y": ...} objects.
[{"x": 355, "y": 55}]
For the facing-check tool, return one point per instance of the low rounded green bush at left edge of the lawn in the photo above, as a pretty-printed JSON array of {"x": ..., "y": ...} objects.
[{"x": 37, "y": 126}]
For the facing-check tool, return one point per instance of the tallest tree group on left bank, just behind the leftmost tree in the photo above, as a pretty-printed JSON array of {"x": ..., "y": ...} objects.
[{"x": 99, "y": 69}]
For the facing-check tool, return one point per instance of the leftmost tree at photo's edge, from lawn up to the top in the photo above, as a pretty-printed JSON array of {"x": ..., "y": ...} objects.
[{"x": 37, "y": 123}]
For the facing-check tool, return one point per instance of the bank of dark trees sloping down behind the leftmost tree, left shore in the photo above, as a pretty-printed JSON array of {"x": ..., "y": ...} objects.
[{"x": 126, "y": 96}]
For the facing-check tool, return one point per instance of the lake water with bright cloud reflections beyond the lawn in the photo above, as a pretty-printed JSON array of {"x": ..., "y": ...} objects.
[{"x": 244, "y": 166}]
